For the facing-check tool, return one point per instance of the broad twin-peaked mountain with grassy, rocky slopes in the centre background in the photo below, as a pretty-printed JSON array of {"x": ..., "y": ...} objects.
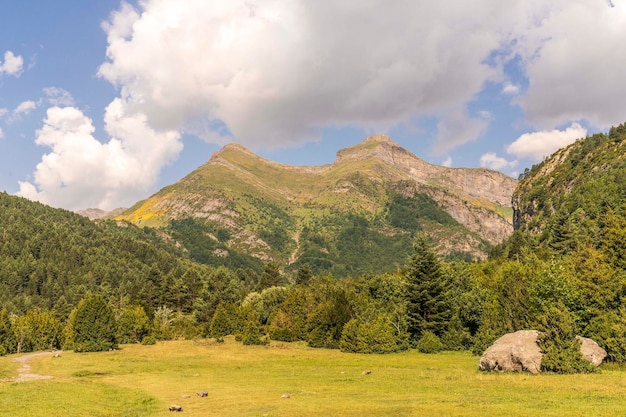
[{"x": 353, "y": 216}]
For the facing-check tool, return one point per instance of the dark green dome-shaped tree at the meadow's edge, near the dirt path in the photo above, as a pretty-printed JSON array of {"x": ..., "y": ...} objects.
[{"x": 94, "y": 326}]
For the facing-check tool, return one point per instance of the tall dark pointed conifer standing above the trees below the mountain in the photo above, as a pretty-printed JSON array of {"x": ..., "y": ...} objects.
[{"x": 428, "y": 309}]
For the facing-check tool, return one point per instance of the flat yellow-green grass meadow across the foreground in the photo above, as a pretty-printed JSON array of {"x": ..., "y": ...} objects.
[{"x": 250, "y": 381}]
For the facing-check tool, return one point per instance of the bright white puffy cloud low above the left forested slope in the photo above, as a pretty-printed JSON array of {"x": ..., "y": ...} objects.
[{"x": 82, "y": 172}]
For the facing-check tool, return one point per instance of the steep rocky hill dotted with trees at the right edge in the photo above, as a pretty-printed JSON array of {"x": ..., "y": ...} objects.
[{"x": 576, "y": 196}]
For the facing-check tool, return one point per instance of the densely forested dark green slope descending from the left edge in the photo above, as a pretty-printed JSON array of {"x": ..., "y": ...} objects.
[{"x": 52, "y": 258}]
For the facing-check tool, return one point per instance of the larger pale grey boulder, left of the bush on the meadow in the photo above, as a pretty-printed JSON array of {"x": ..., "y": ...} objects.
[{"x": 513, "y": 352}]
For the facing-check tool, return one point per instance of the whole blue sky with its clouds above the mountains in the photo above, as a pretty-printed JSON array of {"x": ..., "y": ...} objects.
[{"x": 102, "y": 103}]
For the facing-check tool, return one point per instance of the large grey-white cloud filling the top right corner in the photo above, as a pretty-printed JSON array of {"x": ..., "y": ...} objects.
[{"x": 574, "y": 72}]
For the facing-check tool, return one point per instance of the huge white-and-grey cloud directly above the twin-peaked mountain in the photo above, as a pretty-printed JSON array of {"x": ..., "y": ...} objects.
[{"x": 274, "y": 73}]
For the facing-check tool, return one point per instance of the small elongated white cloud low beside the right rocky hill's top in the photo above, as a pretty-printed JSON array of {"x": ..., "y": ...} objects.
[{"x": 540, "y": 144}]
